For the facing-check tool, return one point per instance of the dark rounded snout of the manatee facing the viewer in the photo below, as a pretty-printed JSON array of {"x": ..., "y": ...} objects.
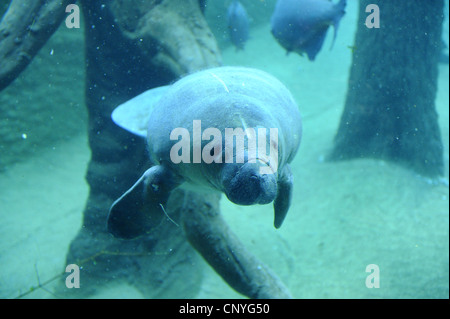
[{"x": 245, "y": 185}]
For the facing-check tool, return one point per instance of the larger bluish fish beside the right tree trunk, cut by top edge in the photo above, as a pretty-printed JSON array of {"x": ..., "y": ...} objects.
[{"x": 301, "y": 25}]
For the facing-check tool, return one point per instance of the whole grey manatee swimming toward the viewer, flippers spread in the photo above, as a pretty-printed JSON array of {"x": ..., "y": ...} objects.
[{"x": 228, "y": 129}]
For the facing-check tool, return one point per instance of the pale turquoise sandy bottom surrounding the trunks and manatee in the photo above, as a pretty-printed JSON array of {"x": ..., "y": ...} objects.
[{"x": 344, "y": 216}]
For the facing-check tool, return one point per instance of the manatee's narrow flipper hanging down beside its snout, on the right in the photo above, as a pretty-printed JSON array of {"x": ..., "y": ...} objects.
[{"x": 284, "y": 195}]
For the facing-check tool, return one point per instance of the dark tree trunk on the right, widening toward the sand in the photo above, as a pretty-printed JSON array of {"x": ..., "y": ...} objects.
[{"x": 390, "y": 106}]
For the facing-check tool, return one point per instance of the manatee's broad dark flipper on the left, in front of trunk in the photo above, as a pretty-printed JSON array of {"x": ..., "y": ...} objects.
[{"x": 139, "y": 209}]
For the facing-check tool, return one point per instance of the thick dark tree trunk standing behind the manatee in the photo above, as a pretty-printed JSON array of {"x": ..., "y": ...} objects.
[{"x": 123, "y": 58}]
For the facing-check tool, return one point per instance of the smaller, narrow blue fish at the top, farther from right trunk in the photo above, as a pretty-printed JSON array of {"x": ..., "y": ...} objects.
[{"x": 237, "y": 24}]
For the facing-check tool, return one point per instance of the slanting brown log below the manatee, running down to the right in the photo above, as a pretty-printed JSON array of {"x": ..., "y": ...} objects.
[{"x": 212, "y": 238}]
